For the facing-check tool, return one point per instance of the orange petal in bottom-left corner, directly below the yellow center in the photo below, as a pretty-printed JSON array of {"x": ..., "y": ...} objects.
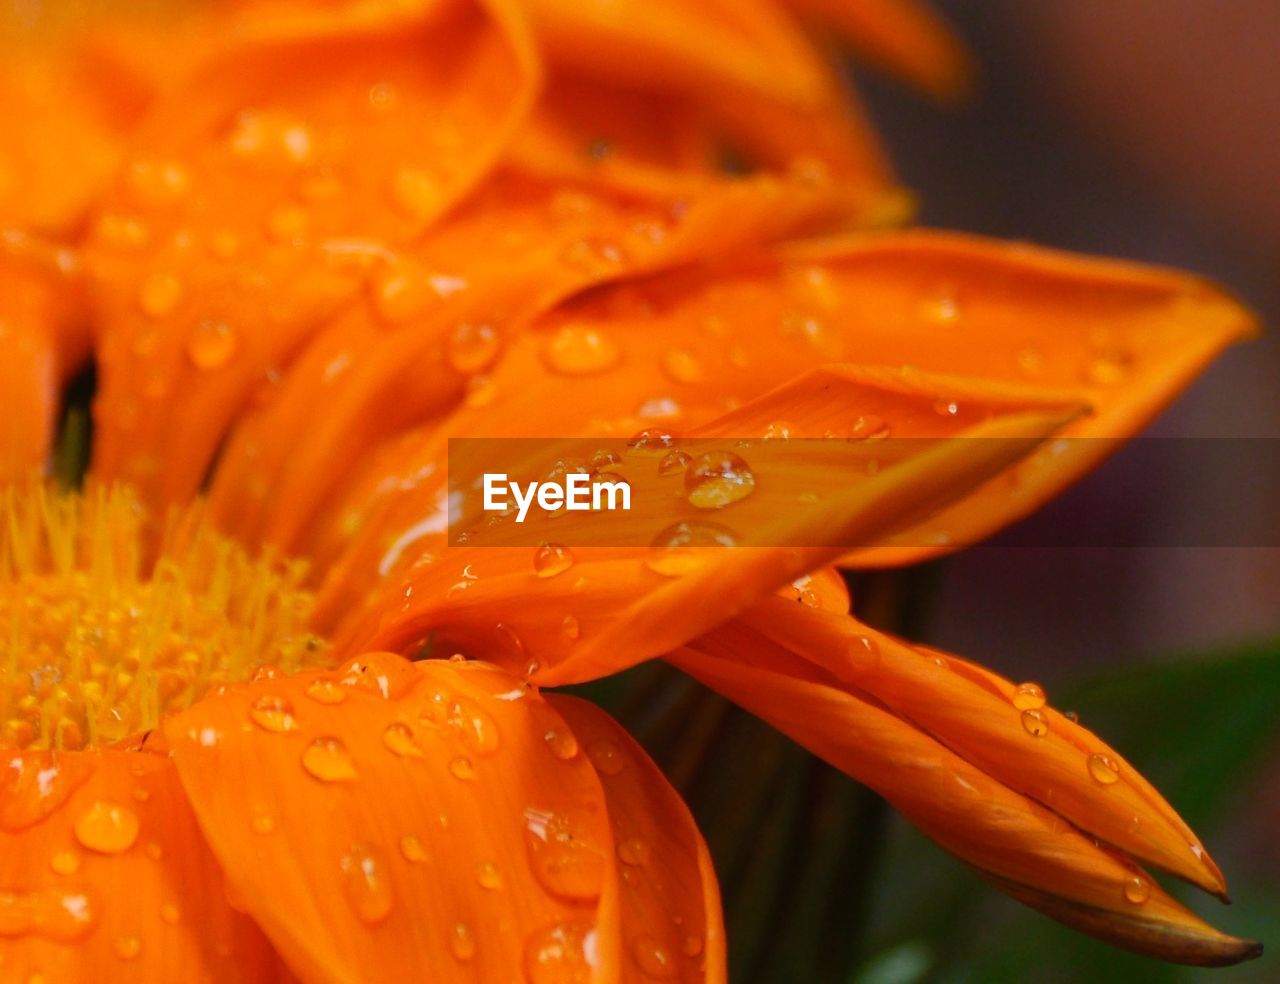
[{"x": 104, "y": 876}]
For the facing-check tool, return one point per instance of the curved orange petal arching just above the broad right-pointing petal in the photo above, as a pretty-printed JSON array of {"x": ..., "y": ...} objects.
[{"x": 409, "y": 353}]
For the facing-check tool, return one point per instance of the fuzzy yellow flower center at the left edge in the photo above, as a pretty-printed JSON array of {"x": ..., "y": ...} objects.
[{"x": 107, "y": 624}]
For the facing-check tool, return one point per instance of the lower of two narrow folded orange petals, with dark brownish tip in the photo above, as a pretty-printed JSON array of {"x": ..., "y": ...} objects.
[{"x": 1016, "y": 843}]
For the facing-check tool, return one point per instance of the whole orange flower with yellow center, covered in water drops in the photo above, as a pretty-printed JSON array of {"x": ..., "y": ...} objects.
[{"x": 314, "y": 242}]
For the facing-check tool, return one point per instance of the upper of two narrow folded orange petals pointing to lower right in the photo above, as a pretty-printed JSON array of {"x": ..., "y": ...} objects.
[{"x": 1007, "y": 731}]
